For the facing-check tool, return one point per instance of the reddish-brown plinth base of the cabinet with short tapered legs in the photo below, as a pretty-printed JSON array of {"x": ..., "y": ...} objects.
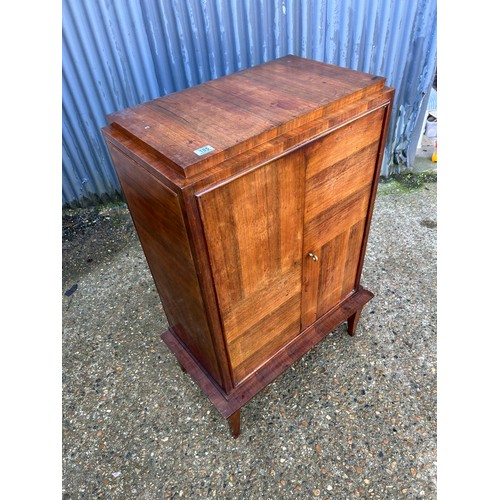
[{"x": 228, "y": 404}]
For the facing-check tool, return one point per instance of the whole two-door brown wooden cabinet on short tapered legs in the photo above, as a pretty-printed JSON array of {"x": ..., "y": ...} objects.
[{"x": 252, "y": 196}]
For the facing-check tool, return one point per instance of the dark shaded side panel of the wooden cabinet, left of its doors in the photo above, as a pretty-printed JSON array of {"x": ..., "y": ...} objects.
[{"x": 159, "y": 222}]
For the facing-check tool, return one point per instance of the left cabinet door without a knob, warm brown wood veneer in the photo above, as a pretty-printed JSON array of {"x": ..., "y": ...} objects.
[{"x": 253, "y": 226}]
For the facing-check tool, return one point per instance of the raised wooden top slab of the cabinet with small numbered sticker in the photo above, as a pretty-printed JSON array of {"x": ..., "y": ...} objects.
[{"x": 199, "y": 127}]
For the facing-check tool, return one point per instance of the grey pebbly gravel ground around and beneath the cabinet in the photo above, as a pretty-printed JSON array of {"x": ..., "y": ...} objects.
[{"x": 355, "y": 417}]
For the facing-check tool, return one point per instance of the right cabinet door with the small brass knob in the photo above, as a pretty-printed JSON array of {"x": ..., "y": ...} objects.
[{"x": 340, "y": 171}]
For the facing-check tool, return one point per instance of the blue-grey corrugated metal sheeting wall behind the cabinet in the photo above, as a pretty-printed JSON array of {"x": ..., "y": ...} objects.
[{"x": 120, "y": 53}]
